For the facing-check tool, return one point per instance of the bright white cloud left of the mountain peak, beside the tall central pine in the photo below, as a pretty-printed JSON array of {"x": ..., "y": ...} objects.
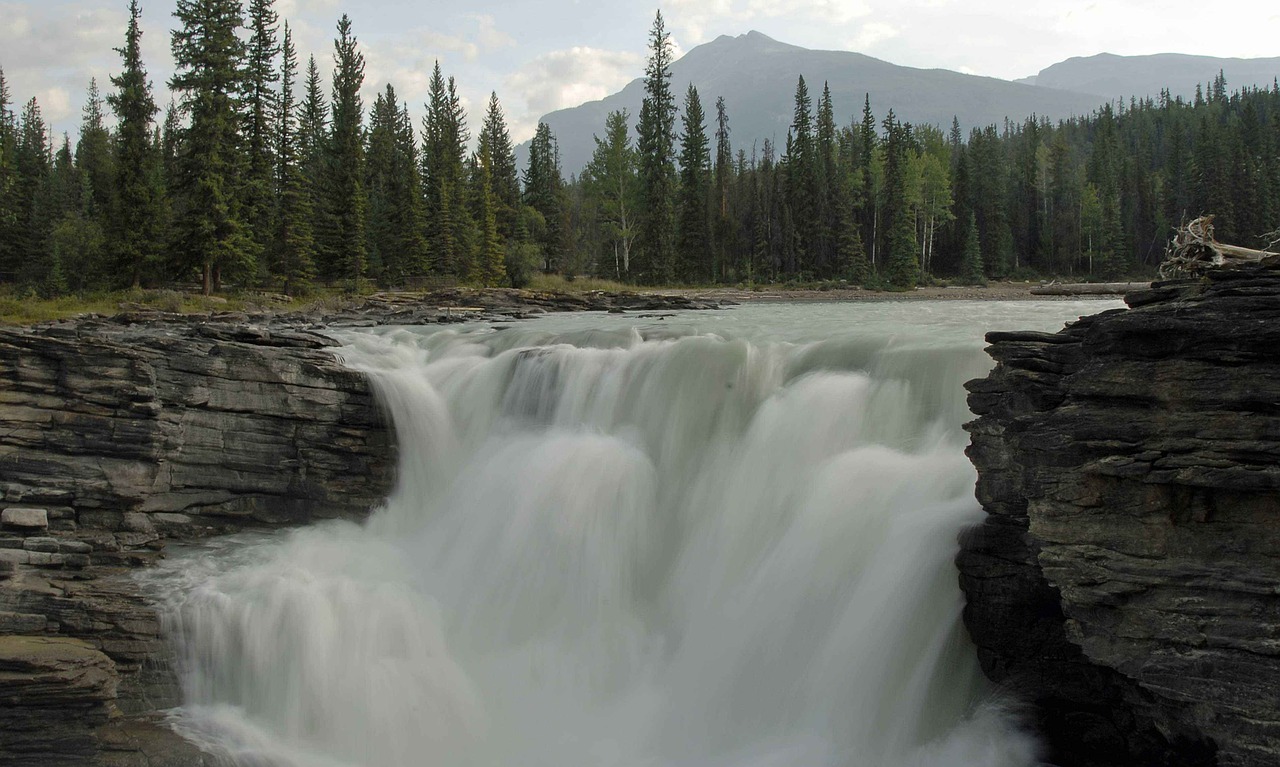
[{"x": 566, "y": 79}]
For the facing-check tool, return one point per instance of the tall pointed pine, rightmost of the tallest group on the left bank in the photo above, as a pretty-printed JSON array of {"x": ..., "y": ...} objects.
[{"x": 348, "y": 199}]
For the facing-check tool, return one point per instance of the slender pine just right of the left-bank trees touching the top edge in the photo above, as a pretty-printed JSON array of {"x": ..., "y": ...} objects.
[{"x": 295, "y": 245}]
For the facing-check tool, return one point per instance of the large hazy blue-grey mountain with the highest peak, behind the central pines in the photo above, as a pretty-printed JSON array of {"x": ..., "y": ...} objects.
[{"x": 757, "y": 76}]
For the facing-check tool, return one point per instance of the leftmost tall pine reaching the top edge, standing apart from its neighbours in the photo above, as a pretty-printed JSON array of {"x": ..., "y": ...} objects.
[{"x": 135, "y": 227}]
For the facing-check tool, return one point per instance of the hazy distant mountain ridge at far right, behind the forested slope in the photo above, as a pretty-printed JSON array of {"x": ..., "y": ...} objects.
[{"x": 1119, "y": 77}]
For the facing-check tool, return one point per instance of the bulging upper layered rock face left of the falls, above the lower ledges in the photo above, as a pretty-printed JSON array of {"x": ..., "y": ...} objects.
[{"x": 185, "y": 427}]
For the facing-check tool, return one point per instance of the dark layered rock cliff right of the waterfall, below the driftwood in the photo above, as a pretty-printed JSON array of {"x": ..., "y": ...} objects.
[{"x": 1127, "y": 579}]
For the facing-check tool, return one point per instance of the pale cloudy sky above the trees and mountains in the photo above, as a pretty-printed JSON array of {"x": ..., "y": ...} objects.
[{"x": 541, "y": 57}]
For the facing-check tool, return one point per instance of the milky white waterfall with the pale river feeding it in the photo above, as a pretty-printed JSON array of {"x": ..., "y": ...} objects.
[{"x": 721, "y": 541}]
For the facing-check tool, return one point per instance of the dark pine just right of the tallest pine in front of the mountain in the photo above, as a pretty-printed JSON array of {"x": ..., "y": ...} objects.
[{"x": 693, "y": 230}]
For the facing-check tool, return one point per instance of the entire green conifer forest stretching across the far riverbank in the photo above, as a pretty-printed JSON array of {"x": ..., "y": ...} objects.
[{"x": 260, "y": 176}]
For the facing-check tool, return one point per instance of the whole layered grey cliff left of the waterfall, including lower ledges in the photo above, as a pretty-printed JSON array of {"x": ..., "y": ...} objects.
[{"x": 115, "y": 436}]
